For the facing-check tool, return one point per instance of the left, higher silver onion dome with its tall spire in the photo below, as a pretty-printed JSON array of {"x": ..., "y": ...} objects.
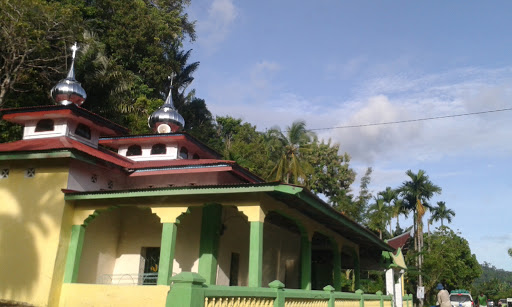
[{"x": 69, "y": 90}]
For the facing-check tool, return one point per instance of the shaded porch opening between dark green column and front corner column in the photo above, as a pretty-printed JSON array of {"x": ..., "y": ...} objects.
[{"x": 233, "y": 254}]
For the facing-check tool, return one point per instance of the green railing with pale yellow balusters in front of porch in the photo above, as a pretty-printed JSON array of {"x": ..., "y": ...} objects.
[{"x": 188, "y": 289}]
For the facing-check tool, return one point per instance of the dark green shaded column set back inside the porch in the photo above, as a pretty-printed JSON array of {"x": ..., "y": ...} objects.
[{"x": 209, "y": 242}]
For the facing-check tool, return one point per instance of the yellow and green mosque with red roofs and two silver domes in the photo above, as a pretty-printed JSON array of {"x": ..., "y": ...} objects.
[{"x": 90, "y": 214}]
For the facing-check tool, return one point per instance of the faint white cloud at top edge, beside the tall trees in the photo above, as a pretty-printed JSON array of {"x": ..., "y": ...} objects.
[{"x": 215, "y": 27}]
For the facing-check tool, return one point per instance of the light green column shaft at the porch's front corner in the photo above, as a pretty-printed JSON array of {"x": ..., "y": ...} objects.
[{"x": 255, "y": 254}]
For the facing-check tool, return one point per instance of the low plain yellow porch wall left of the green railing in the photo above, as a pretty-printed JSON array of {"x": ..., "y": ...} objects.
[{"x": 77, "y": 295}]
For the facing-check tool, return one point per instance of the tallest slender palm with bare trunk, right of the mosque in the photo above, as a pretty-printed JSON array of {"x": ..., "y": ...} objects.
[{"x": 419, "y": 189}]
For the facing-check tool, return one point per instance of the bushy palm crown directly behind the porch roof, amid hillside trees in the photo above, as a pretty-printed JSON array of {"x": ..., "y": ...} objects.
[{"x": 290, "y": 166}]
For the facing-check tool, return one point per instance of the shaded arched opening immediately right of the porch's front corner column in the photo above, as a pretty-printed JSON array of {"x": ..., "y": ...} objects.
[{"x": 281, "y": 250}]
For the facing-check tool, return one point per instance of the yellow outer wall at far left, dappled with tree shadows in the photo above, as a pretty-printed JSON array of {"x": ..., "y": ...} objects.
[{"x": 31, "y": 213}]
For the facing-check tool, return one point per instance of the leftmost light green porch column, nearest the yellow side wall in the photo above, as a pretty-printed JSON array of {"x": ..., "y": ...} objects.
[{"x": 74, "y": 253}]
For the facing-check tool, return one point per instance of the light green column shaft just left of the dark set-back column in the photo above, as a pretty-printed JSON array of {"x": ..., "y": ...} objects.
[{"x": 167, "y": 248}]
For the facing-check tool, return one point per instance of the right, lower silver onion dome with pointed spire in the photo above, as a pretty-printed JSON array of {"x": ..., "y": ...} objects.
[{"x": 166, "y": 119}]
